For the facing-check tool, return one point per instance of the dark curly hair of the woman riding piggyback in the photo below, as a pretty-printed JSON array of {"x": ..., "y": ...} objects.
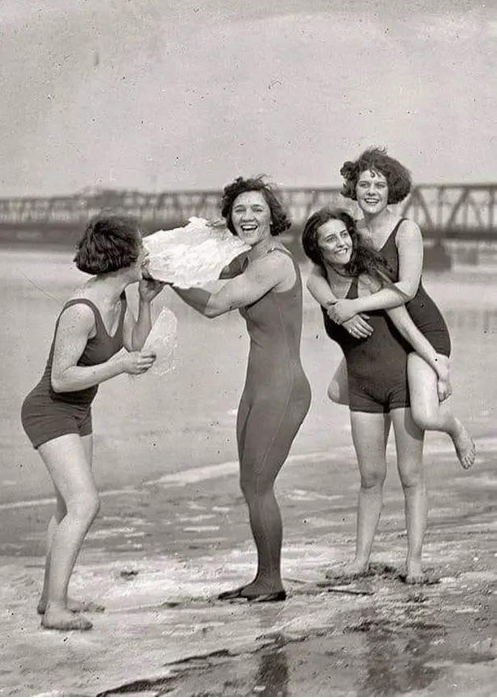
[{"x": 376, "y": 159}]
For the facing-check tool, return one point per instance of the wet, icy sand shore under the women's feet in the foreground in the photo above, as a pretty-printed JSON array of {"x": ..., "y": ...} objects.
[{"x": 159, "y": 554}]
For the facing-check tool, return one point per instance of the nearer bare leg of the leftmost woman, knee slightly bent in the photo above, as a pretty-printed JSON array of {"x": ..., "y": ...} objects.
[{"x": 66, "y": 460}]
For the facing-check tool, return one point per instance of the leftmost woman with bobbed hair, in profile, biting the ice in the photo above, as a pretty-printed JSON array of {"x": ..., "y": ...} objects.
[{"x": 92, "y": 328}]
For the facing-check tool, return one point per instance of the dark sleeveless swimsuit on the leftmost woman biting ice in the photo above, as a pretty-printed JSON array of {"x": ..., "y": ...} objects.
[{"x": 46, "y": 414}]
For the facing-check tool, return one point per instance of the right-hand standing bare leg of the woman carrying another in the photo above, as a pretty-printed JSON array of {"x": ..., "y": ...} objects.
[{"x": 409, "y": 443}]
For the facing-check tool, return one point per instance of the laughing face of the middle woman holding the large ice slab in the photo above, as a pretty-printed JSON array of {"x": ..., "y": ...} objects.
[{"x": 251, "y": 217}]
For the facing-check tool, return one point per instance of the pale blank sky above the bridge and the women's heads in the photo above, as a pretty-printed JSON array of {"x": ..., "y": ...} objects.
[{"x": 183, "y": 94}]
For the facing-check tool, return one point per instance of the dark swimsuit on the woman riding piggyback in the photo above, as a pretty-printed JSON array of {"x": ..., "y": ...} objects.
[{"x": 423, "y": 311}]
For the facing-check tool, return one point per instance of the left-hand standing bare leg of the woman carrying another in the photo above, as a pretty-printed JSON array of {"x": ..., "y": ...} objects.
[{"x": 370, "y": 434}]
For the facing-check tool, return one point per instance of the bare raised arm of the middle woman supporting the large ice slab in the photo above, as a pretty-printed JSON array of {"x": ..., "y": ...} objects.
[{"x": 261, "y": 276}]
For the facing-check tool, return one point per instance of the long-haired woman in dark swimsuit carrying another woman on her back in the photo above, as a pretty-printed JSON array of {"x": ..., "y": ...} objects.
[{"x": 377, "y": 383}]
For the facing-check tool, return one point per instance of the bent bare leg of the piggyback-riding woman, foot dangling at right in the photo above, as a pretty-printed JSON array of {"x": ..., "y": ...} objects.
[{"x": 430, "y": 415}]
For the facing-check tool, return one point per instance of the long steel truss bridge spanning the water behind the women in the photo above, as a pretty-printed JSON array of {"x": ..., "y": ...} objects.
[{"x": 465, "y": 212}]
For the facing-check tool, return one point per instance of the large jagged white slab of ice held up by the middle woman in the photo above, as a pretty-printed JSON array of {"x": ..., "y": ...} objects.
[{"x": 192, "y": 255}]
